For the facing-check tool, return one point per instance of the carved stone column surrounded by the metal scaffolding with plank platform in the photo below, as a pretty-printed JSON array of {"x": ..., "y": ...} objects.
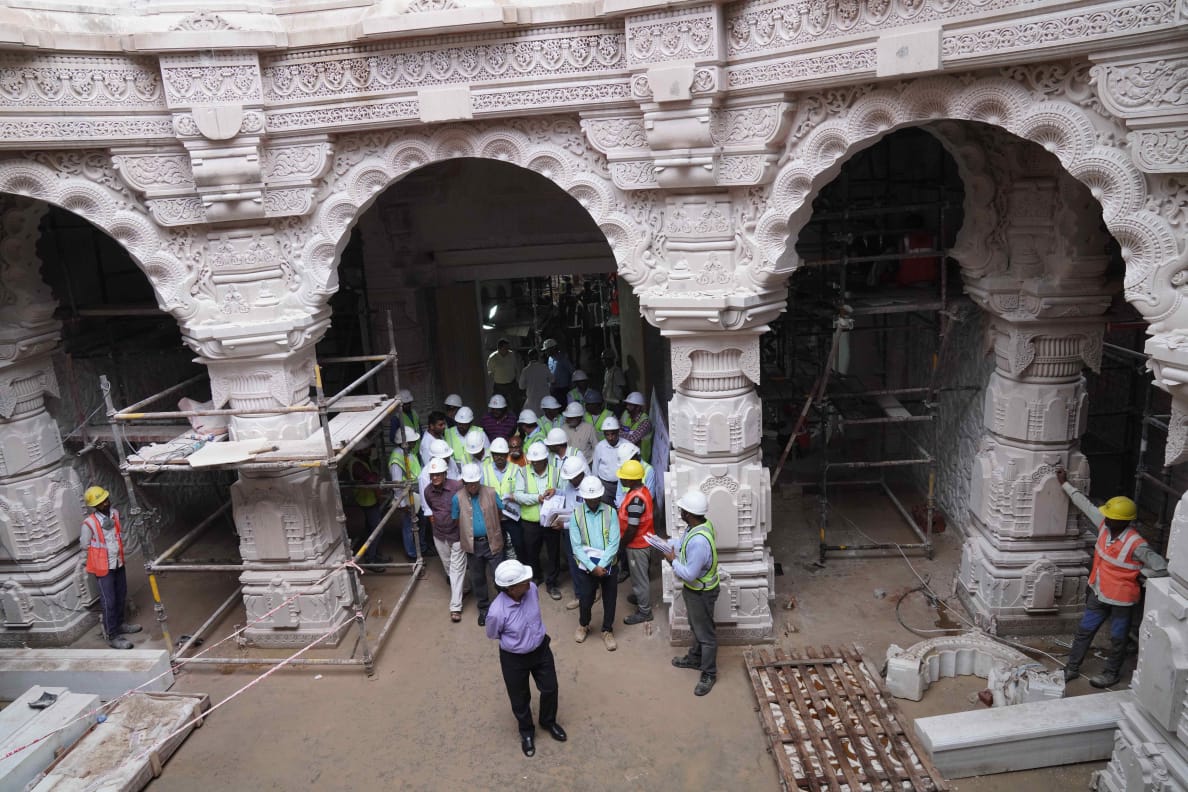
[{"x": 257, "y": 340}]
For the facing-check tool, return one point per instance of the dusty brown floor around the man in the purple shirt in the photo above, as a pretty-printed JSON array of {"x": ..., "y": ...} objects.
[{"x": 435, "y": 717}]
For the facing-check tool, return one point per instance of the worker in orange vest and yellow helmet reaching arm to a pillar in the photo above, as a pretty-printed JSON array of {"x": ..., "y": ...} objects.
[{"x": 1120, "y": 559}]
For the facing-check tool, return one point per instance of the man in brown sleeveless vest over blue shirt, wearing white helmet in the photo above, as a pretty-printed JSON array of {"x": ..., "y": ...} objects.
[{"x": 478, "y": 510}]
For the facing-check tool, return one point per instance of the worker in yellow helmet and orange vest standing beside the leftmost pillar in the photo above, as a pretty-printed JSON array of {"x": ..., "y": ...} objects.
[{"x": 103, "y": 541}]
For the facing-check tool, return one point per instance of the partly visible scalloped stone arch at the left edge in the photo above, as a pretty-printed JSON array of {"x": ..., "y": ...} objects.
[{"x": 86, "y": 183}]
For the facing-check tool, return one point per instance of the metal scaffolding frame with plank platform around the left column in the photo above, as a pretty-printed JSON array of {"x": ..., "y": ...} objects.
[{"x": 331, "y": 459}]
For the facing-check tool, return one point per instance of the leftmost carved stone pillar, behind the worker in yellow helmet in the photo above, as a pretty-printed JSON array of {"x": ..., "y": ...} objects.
[{"x": 45, "y": 591}]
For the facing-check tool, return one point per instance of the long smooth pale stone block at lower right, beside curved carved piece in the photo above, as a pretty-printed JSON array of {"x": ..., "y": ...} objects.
[{"x": 1023, "y": 737}]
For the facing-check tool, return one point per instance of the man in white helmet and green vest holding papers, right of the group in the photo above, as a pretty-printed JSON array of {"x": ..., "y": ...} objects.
[{"x": 694, "y": 561}]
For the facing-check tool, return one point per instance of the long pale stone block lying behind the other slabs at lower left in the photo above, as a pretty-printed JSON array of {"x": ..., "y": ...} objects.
[{"x": 105, "y": 673}]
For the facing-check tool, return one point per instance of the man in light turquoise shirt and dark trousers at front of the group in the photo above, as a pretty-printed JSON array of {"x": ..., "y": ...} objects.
[{"x": 595, "y": 536}]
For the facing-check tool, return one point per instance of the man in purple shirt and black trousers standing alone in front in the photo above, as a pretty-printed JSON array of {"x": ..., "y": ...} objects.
[{"x": 515, "y": 622}]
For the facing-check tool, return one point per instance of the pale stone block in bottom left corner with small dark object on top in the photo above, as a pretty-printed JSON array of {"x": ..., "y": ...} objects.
[{"x": 58, "y": 727}]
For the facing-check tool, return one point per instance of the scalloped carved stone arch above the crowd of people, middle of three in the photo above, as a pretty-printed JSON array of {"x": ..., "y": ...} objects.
[{"x": 366, "y": 164}]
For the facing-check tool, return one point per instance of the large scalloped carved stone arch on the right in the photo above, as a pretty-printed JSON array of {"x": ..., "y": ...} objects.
[{"x": 1082, "y": 140}]
